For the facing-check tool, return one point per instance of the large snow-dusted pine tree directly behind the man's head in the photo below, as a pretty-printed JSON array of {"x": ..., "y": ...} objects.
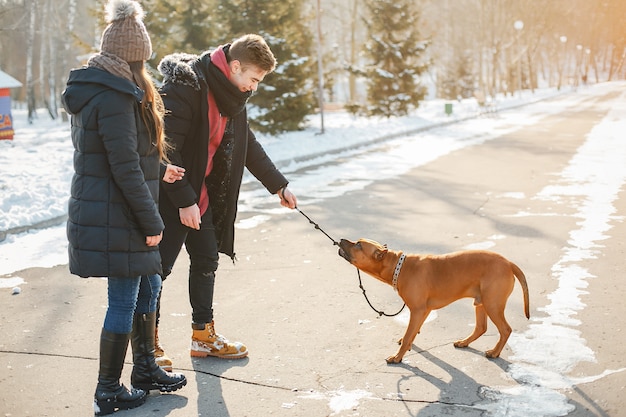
[{"x": 286, "y": 96}]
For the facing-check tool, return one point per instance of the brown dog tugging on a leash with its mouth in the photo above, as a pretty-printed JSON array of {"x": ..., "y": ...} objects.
[{"x": 430, "y": 282}]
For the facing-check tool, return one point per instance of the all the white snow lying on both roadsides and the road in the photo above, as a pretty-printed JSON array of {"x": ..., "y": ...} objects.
[{"x": 37, "y": 170}]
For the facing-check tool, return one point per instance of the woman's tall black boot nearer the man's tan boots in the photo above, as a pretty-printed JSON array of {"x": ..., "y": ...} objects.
[{"x": 147, "y": 375}]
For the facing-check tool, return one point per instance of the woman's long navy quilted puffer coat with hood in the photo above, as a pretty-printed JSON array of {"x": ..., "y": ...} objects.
[{"x": 113, "y": 204}]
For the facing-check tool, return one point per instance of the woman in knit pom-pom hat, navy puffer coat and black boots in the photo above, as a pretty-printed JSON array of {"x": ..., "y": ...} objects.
[{"x": 114, "y": 226}]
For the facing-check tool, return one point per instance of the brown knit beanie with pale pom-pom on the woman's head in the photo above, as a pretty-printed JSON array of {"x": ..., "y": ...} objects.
[{"x": 126, "y": 36}]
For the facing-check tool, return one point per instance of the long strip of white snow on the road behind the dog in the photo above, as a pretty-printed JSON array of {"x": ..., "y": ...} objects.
[{"x": 541, "y": 376}]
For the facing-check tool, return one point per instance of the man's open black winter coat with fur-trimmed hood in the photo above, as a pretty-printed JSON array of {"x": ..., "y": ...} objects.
[{"x": 184, "y": 93}]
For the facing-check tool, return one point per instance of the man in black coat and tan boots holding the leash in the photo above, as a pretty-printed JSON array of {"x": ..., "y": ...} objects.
[{"x": 206, "y": 122}]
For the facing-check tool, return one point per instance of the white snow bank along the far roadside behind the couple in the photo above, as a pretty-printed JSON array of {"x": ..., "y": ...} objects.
[{"x": 37, "y": 166}]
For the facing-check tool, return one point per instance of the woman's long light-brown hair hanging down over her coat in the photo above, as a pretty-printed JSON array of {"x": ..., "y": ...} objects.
[{"x": 152, "y": 108}]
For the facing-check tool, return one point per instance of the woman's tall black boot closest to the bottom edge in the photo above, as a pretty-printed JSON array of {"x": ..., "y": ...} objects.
[{"x": 110, "y": 395}]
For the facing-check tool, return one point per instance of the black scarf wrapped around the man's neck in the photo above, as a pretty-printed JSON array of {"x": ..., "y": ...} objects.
[{"x": 230, "y": 100}]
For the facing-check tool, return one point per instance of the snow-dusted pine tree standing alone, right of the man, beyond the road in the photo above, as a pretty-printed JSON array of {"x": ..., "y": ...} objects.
[{"x": 396, "y": 53}]
